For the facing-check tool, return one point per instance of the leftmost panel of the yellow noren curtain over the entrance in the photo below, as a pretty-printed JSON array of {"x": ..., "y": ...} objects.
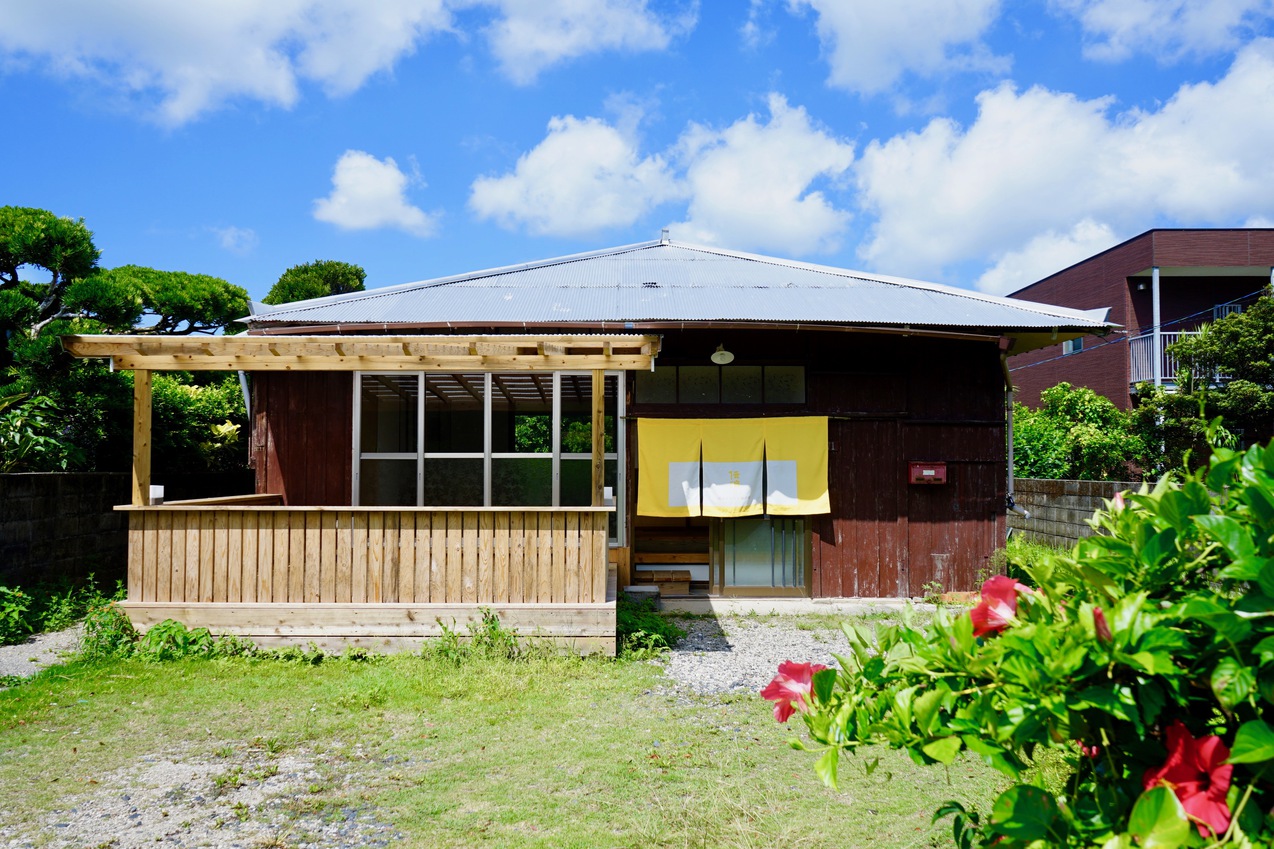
[{"x": 669, "y": 480}]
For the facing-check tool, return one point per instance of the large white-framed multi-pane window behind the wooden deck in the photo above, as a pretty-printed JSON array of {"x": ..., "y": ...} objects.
[{"x": 483, "y": 440}]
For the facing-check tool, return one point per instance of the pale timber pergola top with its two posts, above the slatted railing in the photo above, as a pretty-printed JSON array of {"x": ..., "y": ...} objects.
[{"x": 439, "y": 354}]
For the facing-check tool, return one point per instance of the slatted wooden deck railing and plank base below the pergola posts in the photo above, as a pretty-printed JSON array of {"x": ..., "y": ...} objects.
[{"x": 373, "y": 577}]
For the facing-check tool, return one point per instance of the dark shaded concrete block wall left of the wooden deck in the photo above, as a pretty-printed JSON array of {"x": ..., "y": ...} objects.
[{"x": 58, "y": 526}]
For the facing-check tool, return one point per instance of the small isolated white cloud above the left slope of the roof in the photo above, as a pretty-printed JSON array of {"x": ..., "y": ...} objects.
[{"x": 370, "y": 194}]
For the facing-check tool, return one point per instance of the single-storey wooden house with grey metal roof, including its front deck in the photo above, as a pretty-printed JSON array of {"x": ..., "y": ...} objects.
[{"x": 531, "y": 438}]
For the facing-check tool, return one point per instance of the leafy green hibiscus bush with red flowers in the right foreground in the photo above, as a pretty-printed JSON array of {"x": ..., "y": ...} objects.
[{"x": 1143, "y": 658}]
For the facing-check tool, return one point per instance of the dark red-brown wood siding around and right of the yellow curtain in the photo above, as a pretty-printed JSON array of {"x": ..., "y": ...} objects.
[{"x": 890, "y": 401}]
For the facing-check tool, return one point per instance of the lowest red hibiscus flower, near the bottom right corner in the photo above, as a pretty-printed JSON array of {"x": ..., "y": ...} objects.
[{"x": 1197, "y": 772}]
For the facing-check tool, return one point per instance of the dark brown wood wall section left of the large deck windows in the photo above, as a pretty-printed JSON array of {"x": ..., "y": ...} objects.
[{"x": 303, "y": 437}]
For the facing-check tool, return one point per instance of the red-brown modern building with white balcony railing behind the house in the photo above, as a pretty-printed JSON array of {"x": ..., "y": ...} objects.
[{"x": 1160, "y": 286}]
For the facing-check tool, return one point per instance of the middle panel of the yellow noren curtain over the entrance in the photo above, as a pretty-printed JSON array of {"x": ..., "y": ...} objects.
[{"x": 733, "y": 467}]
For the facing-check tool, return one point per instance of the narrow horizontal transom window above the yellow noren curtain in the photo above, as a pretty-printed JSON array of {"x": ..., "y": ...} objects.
[{"x": 722, "y": 386}]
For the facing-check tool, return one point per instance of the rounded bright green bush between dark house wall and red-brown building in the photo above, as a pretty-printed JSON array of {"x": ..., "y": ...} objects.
[{"x": 1076, "y": 435}]
